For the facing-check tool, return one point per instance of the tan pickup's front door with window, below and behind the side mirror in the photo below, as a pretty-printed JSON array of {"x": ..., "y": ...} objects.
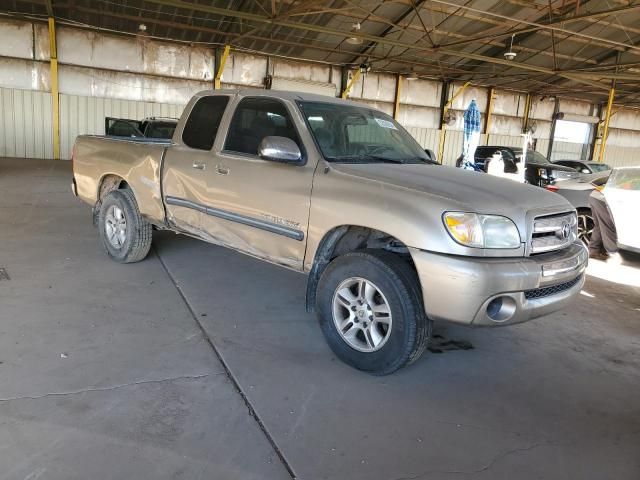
[{"x": 258, "y": 206}]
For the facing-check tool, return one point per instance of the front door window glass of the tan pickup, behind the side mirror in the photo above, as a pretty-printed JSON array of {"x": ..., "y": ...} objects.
[{"x": 255, "y": 119}]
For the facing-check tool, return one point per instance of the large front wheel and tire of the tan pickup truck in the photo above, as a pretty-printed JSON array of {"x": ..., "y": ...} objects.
[{"x": 394, "y": 340}]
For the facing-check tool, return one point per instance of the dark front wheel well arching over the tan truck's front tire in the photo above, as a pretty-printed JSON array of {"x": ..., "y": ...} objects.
[{"x": 345, "y": 239}]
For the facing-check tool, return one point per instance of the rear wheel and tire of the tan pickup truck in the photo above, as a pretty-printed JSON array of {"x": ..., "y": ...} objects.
[{"x": 127, "y": 242}]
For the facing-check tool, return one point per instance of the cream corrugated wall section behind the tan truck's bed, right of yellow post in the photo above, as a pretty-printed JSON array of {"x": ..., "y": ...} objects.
[{"x": 85, "y": 115}]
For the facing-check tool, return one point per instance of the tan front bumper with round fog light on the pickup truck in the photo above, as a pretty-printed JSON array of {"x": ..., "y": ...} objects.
[{"x": 499, "y": 291}]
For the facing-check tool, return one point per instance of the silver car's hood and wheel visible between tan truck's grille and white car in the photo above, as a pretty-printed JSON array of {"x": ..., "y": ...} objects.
[{"x": 577, "y": 193}]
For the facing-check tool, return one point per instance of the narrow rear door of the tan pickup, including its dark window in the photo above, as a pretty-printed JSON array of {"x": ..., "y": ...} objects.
[{"x": 188, "y": 161}]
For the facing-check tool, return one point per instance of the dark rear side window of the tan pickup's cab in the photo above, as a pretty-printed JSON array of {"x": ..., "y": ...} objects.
[{"x": 202, "y": 125}]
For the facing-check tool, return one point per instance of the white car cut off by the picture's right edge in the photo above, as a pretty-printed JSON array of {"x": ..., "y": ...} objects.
[{"x": 622, "y": 193}]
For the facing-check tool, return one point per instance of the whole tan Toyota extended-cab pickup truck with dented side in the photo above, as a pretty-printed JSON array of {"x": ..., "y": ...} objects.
[{"x": 390, "y": 240}]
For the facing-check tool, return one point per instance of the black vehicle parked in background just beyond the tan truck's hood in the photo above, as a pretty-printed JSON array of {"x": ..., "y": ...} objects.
[{"x": 538, "y": 170}]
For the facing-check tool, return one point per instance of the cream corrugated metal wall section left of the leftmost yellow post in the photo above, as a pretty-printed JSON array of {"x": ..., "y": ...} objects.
[{"x": 25, "y": 124}]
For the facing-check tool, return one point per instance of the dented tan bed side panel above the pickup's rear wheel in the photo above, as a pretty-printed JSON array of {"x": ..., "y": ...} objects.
[{"x": 138, "y": 161}]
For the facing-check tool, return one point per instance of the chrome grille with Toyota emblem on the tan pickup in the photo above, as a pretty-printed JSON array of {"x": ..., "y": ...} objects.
[{"x": 554, "y": 232}]
